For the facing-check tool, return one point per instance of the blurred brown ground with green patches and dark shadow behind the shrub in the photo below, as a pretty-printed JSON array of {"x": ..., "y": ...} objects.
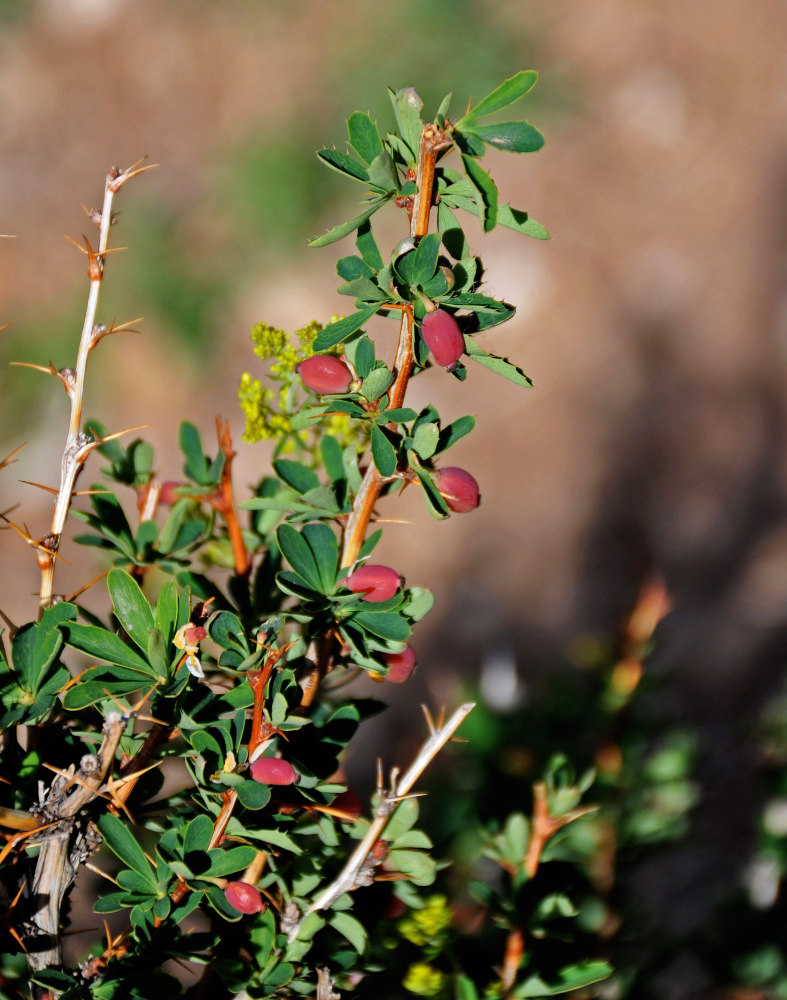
[{"x": 654, "y": 324}]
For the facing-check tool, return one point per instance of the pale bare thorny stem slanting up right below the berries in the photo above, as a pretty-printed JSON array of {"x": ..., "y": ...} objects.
[{"x": 352, "y": 876}]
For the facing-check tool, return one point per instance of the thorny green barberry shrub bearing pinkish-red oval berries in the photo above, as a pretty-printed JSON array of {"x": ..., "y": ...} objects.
[{"x": 186, "y": 745}]
